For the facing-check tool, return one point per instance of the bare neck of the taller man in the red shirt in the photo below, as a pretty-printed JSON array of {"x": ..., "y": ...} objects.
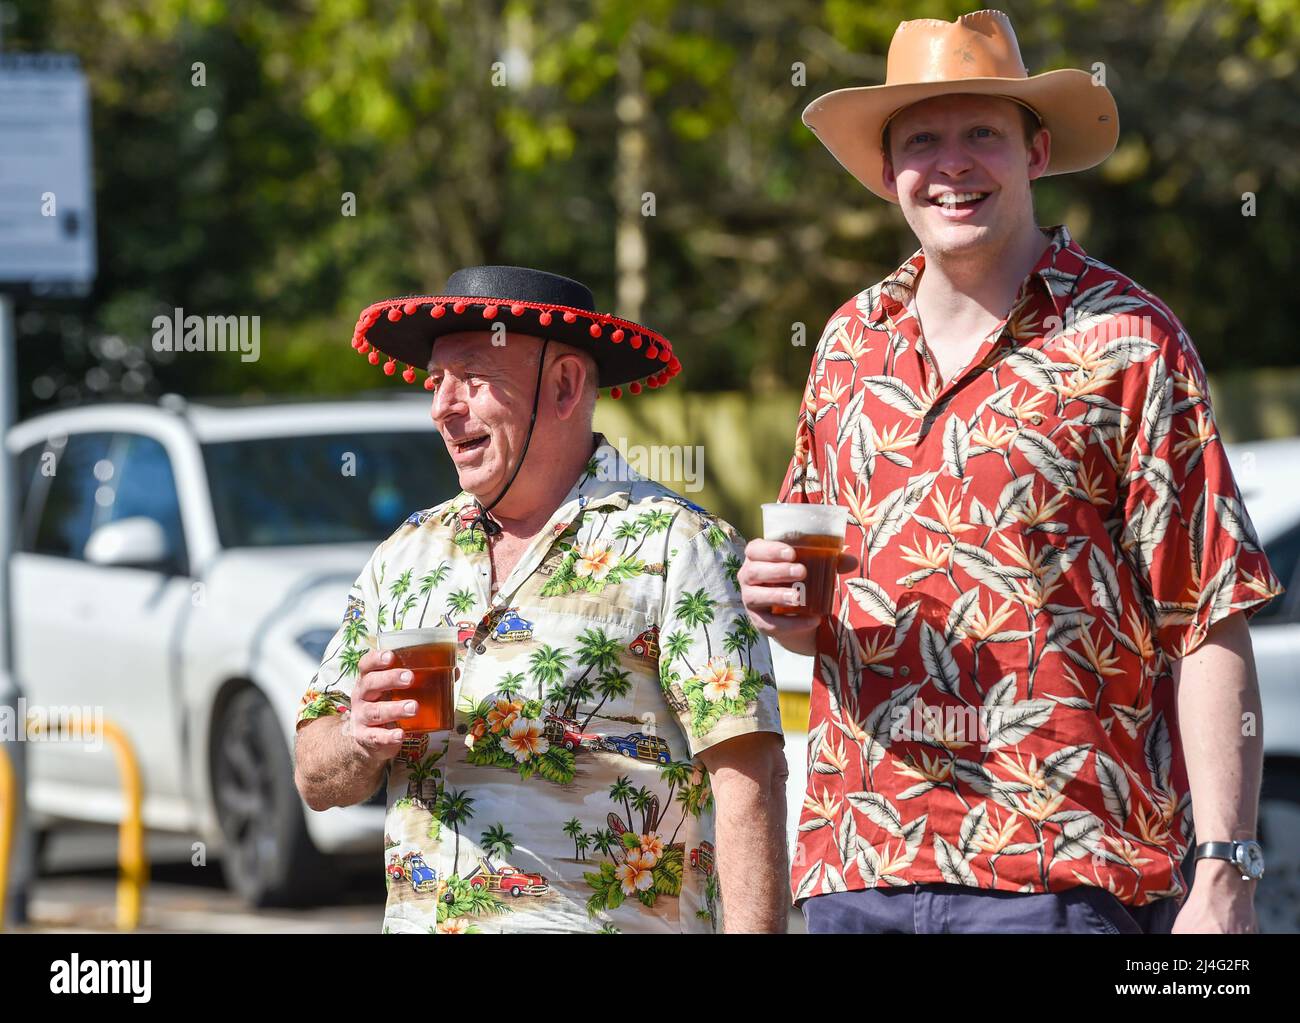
[{"x": 983, "y": 285}]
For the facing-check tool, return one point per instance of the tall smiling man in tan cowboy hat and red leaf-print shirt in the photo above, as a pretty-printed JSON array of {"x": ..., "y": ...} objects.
[{"x": 1039, "y": 662}]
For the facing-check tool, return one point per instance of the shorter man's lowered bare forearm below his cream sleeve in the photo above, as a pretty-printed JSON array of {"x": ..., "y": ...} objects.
[{"x": 749, "y": 799}]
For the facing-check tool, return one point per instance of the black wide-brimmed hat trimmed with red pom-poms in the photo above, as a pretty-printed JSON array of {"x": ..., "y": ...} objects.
[{"x": 527, "y": 302}]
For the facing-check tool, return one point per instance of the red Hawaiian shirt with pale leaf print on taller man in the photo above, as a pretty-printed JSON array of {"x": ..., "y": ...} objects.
[{"x": 1041, "y": 537}]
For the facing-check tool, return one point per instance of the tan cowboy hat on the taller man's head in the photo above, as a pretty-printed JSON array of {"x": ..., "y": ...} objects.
[{"x": 976, "y": 54}]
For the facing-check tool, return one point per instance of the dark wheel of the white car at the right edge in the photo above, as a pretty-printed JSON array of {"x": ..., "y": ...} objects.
[{"x": 1277, "y": 900}]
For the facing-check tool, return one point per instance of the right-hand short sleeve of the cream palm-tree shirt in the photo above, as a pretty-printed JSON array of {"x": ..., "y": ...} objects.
[{"x": 714, "y": 666}]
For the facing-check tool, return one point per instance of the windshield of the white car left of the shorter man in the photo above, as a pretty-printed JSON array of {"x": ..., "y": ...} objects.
[{"x": 324, "y": 489}]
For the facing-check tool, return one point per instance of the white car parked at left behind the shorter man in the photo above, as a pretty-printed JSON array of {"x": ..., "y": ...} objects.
[{"x": 183, "y": 567}]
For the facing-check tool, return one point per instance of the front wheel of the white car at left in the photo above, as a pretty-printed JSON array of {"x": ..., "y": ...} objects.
[{"x": 268, "y": 859}]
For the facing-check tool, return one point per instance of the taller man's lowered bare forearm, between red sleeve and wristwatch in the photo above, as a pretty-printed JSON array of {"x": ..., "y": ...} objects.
[{"x": 1220, "y": 721}]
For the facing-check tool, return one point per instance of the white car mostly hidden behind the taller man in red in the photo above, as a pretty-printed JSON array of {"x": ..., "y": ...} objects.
[{"x": 1268, "y": 475}]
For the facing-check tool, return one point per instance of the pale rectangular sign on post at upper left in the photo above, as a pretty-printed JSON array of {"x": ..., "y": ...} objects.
[{"x": 47, "y": 210}]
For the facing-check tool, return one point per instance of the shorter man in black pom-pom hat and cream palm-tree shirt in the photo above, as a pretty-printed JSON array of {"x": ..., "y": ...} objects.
[{"x": 617, "y": 745}]
